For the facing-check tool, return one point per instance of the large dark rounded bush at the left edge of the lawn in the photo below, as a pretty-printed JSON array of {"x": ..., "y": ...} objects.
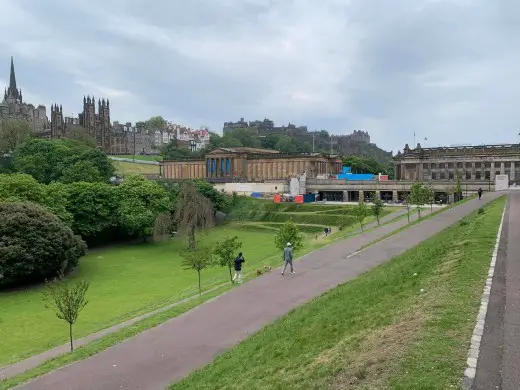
[{"x": 34, "y": 244}]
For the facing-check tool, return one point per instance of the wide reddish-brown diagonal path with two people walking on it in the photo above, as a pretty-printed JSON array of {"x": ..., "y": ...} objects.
[{"x": 170, "y": 351}]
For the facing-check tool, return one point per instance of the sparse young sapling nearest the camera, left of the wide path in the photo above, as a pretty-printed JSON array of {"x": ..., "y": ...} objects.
[{"x": 67, "y": 302}]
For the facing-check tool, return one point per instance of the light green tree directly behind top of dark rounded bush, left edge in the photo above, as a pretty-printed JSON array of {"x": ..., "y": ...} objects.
[{"x": 19, "y": 188}]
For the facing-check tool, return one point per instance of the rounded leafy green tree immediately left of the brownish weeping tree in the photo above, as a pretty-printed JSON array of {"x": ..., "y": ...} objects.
[{"x": 140, "y": 202}]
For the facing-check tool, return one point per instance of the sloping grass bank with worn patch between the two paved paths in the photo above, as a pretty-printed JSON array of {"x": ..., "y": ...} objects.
[{"x": 407, "y": 324}]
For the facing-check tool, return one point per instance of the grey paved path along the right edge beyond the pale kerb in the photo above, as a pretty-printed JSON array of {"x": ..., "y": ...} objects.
[{"x": 498, "y": 365}]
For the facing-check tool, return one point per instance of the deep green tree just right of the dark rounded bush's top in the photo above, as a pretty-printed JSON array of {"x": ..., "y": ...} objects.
[{"x": 94, "y": 207}]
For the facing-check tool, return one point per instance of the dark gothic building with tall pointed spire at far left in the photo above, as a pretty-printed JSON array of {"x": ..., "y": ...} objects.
[{"x": 13, "y": 107}]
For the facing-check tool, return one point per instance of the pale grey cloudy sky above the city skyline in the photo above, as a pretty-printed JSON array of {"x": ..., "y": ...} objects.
[{"x": 448, "y": 70}]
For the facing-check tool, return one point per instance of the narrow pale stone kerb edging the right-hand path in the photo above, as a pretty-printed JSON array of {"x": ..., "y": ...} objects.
[{"x": 478, "y": 331}]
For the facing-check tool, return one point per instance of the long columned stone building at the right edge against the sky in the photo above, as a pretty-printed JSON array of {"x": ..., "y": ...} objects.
[{"x": 470, "y": 163}]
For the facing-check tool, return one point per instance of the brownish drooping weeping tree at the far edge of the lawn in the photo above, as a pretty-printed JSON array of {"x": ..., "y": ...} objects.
[{"x": 191, "y": 212}]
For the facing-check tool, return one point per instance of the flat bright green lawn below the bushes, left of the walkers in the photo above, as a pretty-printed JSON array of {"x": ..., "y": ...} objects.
[{"x": 125, "y": 282}]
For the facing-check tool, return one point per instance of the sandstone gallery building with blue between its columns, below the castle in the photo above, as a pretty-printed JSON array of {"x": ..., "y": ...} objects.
[{"x": 249, "y": 164}]
